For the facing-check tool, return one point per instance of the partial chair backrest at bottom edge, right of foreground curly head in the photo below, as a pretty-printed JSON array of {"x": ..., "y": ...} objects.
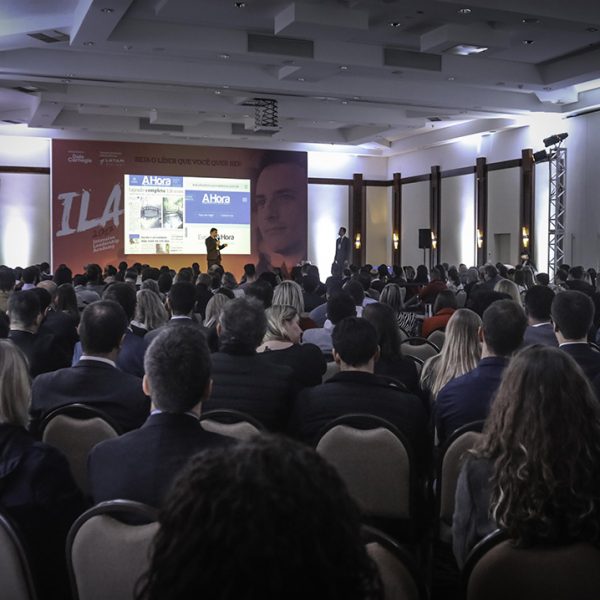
[{"x": 399, "y": 575}]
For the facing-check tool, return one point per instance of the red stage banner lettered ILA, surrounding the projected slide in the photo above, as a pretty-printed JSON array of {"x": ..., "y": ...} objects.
[{"x": 88, "y": 200}]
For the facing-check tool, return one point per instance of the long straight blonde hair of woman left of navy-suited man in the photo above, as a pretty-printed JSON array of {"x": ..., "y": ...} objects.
[{"x": 460, "y": 353}]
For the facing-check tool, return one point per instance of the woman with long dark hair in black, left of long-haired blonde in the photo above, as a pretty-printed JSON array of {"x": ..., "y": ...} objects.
[{"x": 391, "y": 362}]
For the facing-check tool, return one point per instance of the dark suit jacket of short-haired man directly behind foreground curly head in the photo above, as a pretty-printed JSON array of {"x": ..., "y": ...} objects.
[{"x": 142, "y": 464}]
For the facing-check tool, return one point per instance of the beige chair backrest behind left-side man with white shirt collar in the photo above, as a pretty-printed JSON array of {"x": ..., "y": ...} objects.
[{"x": 75, "y": 430}]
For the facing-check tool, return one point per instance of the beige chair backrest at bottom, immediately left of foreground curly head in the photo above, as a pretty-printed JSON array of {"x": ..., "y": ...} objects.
[{"x": 107, "y": 556}]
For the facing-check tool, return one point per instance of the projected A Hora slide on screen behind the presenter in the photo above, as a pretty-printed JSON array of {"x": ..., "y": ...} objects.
[{"x": 174, "y": 215}]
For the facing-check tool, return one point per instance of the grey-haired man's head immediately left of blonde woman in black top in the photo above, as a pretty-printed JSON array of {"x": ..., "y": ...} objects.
[{"x": 242, "y": 326}]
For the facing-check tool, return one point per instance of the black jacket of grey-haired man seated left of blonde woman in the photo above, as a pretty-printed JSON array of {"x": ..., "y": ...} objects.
[{"x": 254, "y": 385}]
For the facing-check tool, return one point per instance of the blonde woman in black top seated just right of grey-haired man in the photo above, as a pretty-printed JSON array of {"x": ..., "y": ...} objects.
[{"x": 281, "y": 346}]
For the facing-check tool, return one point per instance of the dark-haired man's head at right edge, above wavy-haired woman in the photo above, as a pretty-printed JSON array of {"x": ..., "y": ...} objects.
[{"x": 572, "y": 313}]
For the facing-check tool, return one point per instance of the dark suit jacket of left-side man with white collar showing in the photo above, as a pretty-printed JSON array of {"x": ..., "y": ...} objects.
[{"x": 96, "y": 384}]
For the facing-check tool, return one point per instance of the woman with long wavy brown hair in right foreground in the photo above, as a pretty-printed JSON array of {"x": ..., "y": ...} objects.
[{"x": 536, "y": 471}]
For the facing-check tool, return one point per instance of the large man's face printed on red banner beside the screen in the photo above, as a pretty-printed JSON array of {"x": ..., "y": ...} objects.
[{"x": 281, "y": 207}]
